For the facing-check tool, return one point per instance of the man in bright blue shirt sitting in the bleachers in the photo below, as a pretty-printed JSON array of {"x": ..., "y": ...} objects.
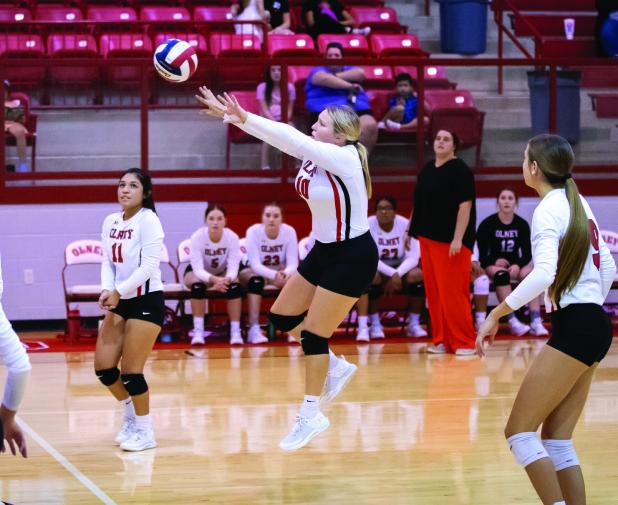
[{"x": 340, "y": 85}]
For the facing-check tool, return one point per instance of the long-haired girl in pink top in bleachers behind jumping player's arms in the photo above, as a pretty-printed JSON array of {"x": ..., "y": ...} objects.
[{"x": 269, "y": 97}]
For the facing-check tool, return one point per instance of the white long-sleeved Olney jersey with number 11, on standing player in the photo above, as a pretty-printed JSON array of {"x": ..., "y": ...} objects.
[{"x": 131, "y": 254}]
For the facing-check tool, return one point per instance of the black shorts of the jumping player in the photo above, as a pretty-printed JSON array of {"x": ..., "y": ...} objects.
[{"x": 346, "y": 267}]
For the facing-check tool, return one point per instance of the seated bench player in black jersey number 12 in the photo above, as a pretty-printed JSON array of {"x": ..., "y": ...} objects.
[{"x": 505, "y": 254}]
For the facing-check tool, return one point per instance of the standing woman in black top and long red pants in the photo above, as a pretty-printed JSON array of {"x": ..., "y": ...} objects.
[{"x": 443, "y": 219}]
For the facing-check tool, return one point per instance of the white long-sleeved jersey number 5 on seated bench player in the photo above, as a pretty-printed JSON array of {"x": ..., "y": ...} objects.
[{"x": 215, "y": 258}]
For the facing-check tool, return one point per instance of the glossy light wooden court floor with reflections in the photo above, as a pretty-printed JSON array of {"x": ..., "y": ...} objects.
[{"x": 411, "y": 428}]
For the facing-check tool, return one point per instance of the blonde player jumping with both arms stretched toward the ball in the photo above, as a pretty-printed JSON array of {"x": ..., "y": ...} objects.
[{"x": 334, "y": 181}]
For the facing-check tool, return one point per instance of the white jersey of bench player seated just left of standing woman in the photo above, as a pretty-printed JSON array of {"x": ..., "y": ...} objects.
[{"x": 391, "y": 247}]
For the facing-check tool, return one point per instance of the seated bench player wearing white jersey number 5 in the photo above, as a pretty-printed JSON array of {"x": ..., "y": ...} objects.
[{"x": 215, "y": 257}]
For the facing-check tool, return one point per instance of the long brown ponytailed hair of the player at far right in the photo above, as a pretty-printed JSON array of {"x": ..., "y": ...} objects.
[{"x": 555, "y": 159}]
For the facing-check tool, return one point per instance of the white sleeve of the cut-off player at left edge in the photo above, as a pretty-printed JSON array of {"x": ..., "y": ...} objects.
[{"x": 14, "y": 356}]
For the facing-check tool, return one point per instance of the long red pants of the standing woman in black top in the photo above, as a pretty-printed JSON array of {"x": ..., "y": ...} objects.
[{"x": 447, "y": 285}]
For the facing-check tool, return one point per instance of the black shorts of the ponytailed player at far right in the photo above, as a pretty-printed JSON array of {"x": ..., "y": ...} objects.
[{"x": 583, "y": 331}]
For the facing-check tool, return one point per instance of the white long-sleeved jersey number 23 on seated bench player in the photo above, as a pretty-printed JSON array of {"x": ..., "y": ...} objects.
[{"x": 267, "y": 256}]
